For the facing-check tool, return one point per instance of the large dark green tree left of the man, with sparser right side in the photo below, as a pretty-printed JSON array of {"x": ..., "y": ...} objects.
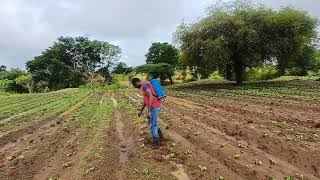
[{"x": 71, "y": 60}]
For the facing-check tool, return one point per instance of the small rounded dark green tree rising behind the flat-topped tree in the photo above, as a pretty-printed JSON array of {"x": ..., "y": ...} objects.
[{"x": 162, "y": 53}]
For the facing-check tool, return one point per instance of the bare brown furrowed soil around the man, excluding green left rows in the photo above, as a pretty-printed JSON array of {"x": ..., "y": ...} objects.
[{"x": 204, "y": 138}]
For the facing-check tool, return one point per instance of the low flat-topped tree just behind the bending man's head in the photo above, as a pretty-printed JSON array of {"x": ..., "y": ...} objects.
[{"x": 154, "y": 71}]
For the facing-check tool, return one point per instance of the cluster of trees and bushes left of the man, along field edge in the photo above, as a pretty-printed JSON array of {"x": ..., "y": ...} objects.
[{"x": 69, "y": 62}]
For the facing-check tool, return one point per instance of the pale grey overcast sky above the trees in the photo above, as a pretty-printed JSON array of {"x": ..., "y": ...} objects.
[{"x": 27, "y": 27}]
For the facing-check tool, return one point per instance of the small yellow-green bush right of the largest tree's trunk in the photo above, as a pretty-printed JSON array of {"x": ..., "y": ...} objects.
[{"x": 262, "y": 73}]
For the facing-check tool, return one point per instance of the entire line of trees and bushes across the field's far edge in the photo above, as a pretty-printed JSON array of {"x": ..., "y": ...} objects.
[{"x": 235, "y": 39}]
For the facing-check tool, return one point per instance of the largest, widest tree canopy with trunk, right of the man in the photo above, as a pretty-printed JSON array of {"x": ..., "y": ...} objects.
[{"x": 240, "y": 36}]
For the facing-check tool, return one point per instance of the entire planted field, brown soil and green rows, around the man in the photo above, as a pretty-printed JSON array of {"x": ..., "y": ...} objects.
[{"x": 212, "y": 131}]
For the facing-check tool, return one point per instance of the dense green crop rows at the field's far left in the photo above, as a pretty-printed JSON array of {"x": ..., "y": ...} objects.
[{"x": 37, "y": 107}]
